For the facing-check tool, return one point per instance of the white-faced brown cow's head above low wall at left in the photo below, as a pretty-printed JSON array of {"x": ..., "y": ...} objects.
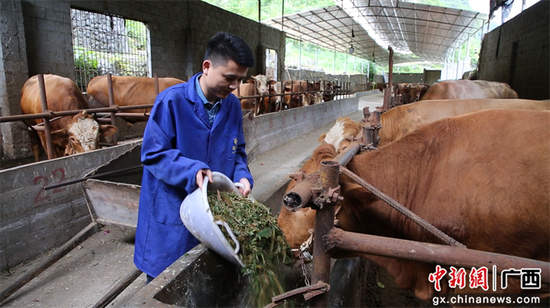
[{"x": 81, "y": 134}]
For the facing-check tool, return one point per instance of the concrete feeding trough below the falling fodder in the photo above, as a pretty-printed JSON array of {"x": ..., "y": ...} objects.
[{"x": 201, "y": 278}]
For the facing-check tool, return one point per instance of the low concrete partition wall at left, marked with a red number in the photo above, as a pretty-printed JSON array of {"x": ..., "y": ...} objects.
[{"x": 35, "y": 220}]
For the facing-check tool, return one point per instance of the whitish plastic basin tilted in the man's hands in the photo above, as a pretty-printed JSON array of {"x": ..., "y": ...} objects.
[{"x": 196, "y": 215}]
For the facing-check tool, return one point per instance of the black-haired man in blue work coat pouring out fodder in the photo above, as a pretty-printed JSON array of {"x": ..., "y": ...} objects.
[{"x": 194, "y": 128}]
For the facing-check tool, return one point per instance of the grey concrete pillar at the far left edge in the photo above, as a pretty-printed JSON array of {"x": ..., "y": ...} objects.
[{"x": 14, "y": 142}]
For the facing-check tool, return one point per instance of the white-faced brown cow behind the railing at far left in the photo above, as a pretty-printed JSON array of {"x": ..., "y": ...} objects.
[{"x": 70, "y": 134}]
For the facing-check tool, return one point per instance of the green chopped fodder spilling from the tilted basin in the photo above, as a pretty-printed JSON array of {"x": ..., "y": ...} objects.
[{"x": 263, "y": 247}]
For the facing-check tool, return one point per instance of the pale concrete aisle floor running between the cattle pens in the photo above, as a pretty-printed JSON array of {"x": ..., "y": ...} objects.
[{"x": 84, "y": 275}]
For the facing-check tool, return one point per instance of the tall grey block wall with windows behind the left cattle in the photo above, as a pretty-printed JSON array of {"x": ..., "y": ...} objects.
[{"x": 41, "y": 42}]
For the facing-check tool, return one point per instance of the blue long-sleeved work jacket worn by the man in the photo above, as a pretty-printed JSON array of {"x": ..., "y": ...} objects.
[{"x": 179, "y": 141}]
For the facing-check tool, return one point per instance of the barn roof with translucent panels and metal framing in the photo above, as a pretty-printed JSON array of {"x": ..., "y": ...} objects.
[{"x": 416, "y": 32}]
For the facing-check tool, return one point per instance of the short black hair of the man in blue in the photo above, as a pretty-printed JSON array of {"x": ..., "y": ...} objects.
[{"x": 224, "y": 46}]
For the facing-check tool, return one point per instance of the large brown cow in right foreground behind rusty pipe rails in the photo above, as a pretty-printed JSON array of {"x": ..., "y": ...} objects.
[{"x": 482, "y": 178}]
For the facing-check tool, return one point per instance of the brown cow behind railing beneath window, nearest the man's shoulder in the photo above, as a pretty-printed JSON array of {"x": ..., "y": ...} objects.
[{"x": 127, "y": 91}]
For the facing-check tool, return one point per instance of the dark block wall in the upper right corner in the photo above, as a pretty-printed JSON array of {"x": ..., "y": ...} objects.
[{"x": 517, "y": 53}]
